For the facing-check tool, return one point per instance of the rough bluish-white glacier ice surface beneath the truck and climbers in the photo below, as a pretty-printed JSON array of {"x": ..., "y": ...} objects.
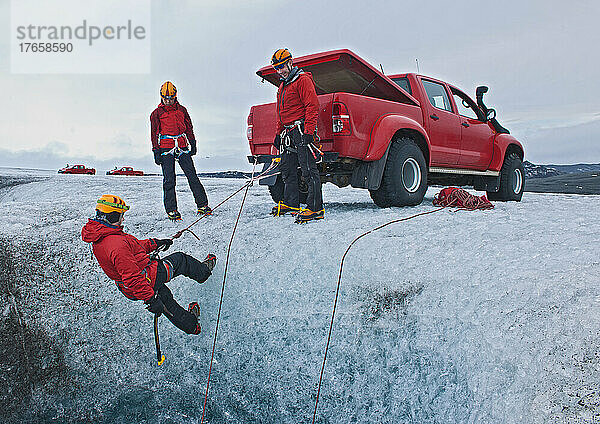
[{"x": 453, "y": 317}]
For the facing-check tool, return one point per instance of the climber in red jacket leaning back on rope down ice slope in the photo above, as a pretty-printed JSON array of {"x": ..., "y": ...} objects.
[{"x": 139, "y": 276}]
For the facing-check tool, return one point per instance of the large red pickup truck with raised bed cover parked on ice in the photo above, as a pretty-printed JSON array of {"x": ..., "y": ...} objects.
[{"x": 395, "y": 135}]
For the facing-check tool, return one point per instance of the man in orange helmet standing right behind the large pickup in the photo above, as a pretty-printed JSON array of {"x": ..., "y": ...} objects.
[{"x": 297, "y": 111}]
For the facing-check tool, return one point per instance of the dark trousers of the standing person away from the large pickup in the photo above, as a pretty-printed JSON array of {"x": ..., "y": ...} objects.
[{"x": 187, "y": 165}]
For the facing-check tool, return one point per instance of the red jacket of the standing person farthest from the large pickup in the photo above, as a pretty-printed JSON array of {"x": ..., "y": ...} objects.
[{"x": 171, "y": 120}]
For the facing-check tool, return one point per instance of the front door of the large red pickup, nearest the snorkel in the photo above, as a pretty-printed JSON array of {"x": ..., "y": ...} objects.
[{"x": 477, "y": 137}]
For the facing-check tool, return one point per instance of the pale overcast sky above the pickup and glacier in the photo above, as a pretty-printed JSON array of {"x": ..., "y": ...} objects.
[{"x": 539, "y": 58}]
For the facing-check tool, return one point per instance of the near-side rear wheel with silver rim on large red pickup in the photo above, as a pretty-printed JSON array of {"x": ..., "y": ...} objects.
[{"x": 404, "y": 181}]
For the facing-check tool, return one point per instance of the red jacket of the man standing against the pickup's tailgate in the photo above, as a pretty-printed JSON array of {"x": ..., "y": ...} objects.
[{"x": 298, "y": 100}]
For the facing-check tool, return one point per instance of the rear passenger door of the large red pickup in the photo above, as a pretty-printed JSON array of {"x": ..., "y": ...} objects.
[{"x": 443, "y": 125}]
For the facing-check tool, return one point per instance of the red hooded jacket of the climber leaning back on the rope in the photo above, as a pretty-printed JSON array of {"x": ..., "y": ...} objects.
[{"x": 123, "y": 258}]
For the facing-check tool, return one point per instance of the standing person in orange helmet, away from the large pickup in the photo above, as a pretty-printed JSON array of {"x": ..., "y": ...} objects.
[{"x": 172, "y": 137}]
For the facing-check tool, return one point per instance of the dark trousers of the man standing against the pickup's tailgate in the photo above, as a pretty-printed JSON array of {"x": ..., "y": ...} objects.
[{"x": 289, "y": 173}]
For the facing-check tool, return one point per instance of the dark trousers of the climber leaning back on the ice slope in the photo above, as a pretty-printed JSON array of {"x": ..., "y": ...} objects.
[{"x": 170, "y": 267}]
